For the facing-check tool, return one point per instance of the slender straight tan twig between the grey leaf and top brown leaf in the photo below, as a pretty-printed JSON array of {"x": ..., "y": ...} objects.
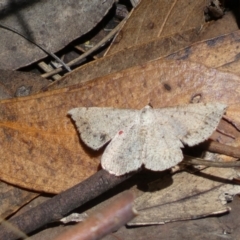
[{"x": 90, "y": 51}]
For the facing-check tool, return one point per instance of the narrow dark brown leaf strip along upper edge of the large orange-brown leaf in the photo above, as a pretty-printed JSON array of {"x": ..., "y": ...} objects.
[{"x": 127, "y": 58}]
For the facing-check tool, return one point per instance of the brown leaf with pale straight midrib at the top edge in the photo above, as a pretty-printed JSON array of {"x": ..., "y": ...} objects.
[{"x": 161, "y": 18}]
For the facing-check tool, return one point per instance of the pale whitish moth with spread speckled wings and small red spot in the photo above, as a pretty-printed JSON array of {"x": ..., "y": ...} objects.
[{"x": 149, "y": 137}]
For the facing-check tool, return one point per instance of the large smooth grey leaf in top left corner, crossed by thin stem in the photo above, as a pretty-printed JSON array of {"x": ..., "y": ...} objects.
[{"x": 51, "y": 24}]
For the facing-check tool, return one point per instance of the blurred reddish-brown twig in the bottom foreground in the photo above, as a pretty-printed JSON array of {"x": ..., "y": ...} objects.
[{"x": 104, "y": 221}]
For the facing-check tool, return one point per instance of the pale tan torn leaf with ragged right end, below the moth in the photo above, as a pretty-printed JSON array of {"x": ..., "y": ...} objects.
[{"x": 203, "y": 194}]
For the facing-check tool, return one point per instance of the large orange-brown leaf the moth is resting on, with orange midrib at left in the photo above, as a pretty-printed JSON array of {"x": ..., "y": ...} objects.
[{"x": 39, "y": 144}]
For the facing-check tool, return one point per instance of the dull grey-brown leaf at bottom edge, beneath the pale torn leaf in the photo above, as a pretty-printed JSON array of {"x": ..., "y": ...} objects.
[{"x": 209, "y": 228}]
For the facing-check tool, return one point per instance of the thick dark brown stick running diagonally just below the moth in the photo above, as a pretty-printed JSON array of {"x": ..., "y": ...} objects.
[{"x": 62, "y": 204}]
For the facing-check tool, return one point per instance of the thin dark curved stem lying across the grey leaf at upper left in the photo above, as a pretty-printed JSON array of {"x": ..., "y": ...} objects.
[{"x": 43, "y": 49}]
